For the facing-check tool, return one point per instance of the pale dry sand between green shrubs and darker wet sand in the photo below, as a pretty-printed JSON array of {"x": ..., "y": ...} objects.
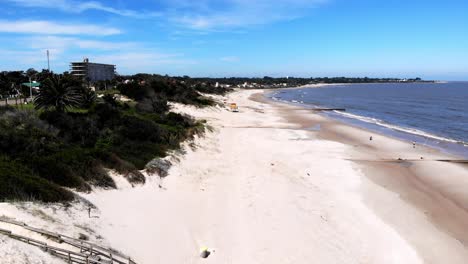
[{"x": 255, "y": 190}]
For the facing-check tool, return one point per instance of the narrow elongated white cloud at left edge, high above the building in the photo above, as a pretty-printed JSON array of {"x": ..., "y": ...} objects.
[{"x": 51, "y": 28}]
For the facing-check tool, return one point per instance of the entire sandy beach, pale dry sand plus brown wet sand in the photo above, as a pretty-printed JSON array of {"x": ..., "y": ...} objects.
[{"x": 274, "y": 183}]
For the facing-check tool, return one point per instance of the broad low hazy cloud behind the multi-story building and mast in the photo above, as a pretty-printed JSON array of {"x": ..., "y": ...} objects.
[{"x": 130, "y": 57}]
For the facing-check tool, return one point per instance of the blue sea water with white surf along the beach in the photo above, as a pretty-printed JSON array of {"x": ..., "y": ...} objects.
[{"x": 432, "y": 114}]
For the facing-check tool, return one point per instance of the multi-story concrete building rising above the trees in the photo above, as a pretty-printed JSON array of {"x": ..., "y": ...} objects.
[{"x": 92, "y": 71}]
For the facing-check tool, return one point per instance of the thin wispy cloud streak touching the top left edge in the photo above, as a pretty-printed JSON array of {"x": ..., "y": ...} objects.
[{"x": 81, "y": 6}]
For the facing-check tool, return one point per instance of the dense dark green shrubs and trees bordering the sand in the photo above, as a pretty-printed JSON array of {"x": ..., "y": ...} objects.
[{"x": 71, "y": 135}]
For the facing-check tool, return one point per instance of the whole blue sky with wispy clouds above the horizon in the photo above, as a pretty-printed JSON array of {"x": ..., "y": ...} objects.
[{"x": 392, "y": 38}]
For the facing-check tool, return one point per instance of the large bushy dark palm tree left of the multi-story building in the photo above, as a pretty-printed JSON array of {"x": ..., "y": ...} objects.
[{"x": 59, "y": 93}]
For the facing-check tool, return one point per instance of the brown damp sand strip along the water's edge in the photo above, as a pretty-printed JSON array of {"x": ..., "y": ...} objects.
[{"x": 423, "y": 192}]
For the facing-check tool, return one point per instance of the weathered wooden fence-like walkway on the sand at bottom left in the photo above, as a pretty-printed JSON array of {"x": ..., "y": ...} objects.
[{"x": 86, "y": 252}]
